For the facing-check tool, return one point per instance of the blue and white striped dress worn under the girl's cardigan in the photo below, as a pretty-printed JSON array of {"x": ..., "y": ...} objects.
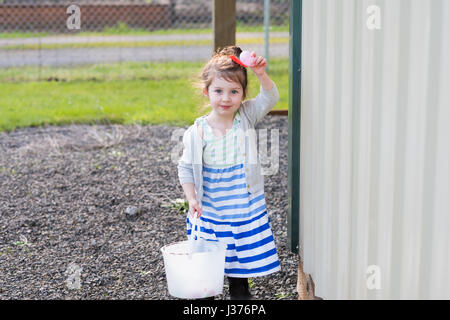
[{"x": 232, "y": 215}]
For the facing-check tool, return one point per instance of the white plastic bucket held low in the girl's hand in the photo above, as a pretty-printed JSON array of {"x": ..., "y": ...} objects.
[{"x": 194, "y": 268}]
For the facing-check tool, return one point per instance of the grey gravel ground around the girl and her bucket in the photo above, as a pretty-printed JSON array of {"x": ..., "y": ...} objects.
[{"x": 84, "y": 211}]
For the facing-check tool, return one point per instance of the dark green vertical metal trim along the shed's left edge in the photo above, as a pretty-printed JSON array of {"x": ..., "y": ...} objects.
[{"x": 295, "y": 63}]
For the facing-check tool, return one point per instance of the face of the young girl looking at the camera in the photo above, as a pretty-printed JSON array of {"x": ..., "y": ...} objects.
[{"x": 225, "y": 96}]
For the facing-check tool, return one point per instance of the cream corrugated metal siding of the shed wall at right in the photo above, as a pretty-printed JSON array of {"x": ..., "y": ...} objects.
[{"x": 375, "y": 148}]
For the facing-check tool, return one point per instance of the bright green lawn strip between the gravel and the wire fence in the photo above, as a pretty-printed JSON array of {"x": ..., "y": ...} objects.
[{"x": 146, "y": 93}]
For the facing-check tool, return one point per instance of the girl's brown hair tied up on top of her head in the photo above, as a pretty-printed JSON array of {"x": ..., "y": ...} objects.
[{"x": 221, "y": 65}]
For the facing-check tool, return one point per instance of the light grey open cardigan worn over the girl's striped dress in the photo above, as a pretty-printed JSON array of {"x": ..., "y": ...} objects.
[{"x": 252, "y": 111}]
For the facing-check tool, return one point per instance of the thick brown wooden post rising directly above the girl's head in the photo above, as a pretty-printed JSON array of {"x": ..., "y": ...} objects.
[{"x": 224, "y": 23}]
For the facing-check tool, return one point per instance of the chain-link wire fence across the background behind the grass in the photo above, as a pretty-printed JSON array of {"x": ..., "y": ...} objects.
[{"x": 41, "y": 40}]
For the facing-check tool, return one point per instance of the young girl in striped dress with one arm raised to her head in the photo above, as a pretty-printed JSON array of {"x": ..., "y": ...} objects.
[{"x": 220, "y": 171}]
